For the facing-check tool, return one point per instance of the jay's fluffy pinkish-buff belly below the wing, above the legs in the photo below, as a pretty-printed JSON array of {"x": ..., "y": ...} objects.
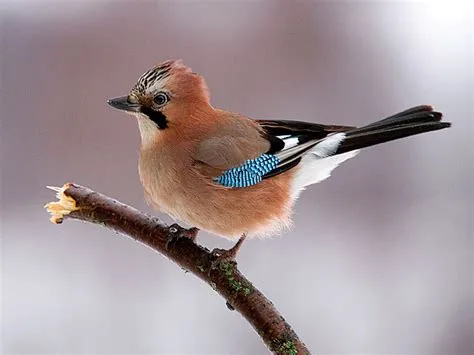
[{"x": 261, "y": 209}]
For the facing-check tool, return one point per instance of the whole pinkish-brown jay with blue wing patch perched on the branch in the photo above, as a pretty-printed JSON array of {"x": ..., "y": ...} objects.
[{"x": 232, "y": 175}]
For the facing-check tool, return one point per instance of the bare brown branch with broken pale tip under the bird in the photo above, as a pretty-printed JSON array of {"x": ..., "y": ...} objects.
[{"x": 79, "y": 202}]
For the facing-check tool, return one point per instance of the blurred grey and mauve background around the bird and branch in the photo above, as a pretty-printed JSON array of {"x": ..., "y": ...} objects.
[{"x": 380, "y": 259}]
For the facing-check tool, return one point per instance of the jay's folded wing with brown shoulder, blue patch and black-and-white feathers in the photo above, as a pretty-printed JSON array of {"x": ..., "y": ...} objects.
[{"x": 245, "y": 155}]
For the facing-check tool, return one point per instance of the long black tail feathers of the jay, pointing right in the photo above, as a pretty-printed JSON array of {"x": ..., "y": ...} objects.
[{"x": 413, "y": 121}]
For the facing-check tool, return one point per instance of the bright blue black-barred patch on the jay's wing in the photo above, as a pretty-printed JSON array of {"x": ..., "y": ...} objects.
[{"x": 249, "y": 173}]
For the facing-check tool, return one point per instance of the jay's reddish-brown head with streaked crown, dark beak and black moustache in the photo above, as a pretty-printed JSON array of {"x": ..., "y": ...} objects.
[{"x": 164, "y": 97}]
